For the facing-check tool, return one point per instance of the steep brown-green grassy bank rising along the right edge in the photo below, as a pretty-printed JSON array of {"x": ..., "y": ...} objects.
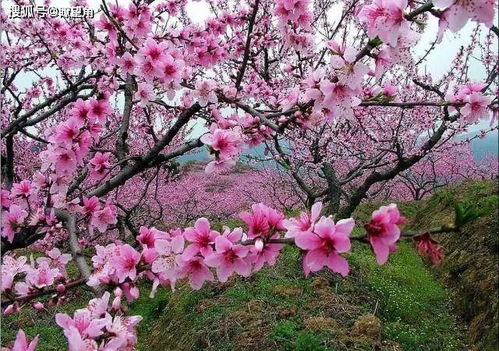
[{"x": 471, "y": 267}]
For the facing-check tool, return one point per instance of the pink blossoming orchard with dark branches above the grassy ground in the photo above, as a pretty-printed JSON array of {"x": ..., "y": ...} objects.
[{"x": 97, "y": 114}]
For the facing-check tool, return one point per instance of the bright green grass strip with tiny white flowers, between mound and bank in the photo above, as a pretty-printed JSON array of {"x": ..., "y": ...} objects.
[{"x": 412, "y": 303}]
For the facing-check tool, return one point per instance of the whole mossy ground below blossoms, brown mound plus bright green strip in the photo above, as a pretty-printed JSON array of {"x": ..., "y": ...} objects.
[{"x": 279, "y": 309}]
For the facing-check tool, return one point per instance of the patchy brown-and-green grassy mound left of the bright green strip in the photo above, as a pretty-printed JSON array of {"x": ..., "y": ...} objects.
[{"x": 216, "y": 316}]
